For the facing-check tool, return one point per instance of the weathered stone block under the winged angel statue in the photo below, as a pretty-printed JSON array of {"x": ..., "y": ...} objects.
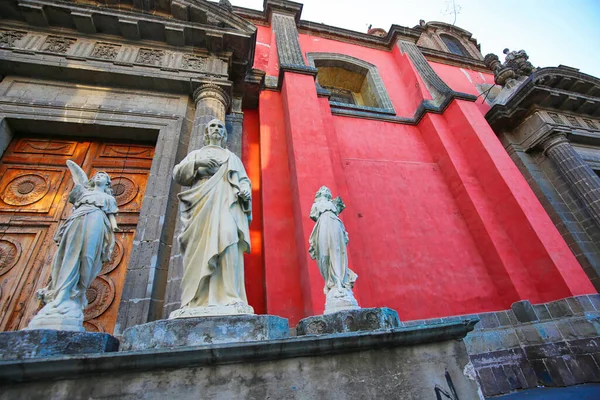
[{"x": 48, "y": 343}]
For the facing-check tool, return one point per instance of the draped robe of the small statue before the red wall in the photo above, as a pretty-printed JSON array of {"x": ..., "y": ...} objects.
[{"x": 328, "y": 246}]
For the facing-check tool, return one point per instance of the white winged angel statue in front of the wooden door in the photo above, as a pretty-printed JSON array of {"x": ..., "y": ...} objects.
[{"x": 85, "y": 240}]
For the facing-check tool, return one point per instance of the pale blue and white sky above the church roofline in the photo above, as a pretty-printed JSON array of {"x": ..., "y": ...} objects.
[{"x": 552, "y": 32}]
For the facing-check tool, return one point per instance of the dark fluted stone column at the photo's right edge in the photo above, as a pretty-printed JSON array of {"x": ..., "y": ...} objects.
[{"x": 575, "y": 170}]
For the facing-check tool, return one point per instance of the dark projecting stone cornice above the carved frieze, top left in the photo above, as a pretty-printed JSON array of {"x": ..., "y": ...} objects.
[{"x": 197, "y": 23}]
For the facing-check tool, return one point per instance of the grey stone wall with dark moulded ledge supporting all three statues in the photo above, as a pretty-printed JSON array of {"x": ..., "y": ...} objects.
[{"x": 407, "y": 363}]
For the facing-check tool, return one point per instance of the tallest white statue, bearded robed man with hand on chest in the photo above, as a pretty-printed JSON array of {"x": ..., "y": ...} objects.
[{"x": 216, "y": 213}]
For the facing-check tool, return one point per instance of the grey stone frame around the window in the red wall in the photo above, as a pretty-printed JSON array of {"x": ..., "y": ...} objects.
[{"x": 359, "y": 66}]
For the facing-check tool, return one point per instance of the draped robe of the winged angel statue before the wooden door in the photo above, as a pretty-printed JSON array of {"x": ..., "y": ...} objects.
[{"x": 86, "y": 240}]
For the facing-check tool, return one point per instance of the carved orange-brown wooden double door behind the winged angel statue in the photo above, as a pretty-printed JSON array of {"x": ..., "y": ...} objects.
[{"x": 34, "y": 187}]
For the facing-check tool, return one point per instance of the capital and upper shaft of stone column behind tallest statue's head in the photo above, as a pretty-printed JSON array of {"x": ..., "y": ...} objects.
[{"x": 212, "y": 101}]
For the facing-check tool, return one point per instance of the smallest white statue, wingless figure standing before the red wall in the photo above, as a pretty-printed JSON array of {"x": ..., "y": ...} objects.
[{"x": 328, "y": 246}]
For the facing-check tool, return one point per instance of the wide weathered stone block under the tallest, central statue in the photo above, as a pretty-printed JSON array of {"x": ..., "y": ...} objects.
[{"x": 180, "y": 332}]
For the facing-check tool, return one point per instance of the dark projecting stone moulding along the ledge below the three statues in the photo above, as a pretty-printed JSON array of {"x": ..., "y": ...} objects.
[{"x": 74, "y": 366}]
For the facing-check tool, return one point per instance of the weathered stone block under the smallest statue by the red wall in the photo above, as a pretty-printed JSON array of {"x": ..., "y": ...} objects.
[{"x": 364, "y": 319}]
